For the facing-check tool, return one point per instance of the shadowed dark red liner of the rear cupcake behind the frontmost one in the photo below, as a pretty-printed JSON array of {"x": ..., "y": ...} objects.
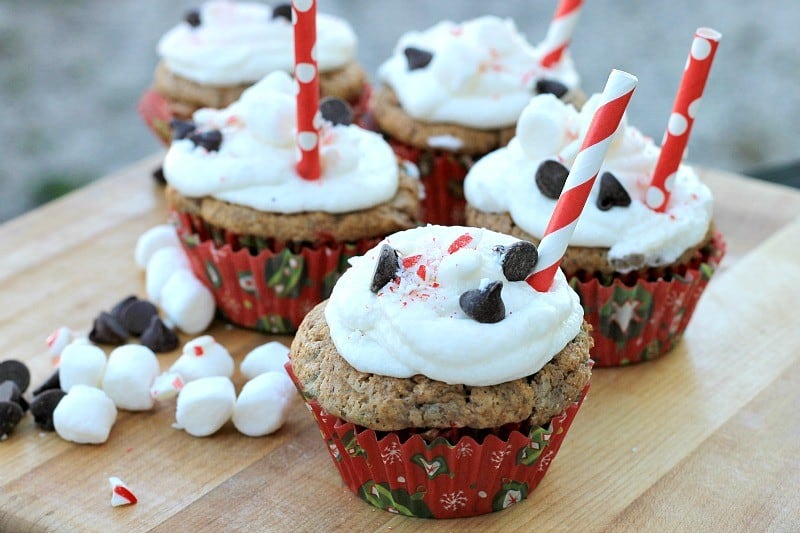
[{"x": 442, "y": 174}]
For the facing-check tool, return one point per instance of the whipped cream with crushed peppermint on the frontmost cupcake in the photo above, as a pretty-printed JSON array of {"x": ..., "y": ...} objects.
[{"x": 414, "y": 325}]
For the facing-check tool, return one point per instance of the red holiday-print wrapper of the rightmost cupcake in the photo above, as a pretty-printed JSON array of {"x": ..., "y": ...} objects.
[{"x": 642, "y": 320}]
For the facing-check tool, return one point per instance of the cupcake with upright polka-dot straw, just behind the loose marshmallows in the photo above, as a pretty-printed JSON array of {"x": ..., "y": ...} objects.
[{"x": 268, "y": 243}]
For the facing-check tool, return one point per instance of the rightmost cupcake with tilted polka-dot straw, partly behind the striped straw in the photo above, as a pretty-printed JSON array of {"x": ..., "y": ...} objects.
[{"x": 639, "y": 273}]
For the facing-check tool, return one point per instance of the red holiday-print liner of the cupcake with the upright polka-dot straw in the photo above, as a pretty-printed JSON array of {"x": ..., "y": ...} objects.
[{"x": 265, "y": 285}]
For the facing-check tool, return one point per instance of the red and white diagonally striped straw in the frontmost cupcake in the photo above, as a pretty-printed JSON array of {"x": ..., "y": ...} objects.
[{"x": 613, "y": 102}]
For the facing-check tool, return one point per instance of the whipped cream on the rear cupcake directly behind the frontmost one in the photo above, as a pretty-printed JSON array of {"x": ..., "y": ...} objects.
[{"x": 482, "y": 74}]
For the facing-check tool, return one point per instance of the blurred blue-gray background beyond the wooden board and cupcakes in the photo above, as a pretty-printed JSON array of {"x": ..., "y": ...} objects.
[{"x": 71, "y": 73}]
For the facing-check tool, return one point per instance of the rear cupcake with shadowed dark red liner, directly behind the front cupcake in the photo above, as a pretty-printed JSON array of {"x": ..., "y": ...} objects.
[{"x": 452, "y": 93}]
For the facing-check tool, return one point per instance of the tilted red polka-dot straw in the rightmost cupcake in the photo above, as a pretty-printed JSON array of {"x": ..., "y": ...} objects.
[{"x": 684, "y": 111}]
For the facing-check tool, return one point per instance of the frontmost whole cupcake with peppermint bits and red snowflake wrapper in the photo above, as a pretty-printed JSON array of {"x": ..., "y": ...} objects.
[{"x": 442, "y": 383}]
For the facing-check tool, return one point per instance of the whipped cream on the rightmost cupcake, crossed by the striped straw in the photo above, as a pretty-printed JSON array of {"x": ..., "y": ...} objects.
[{"x": 503, "y": 182}]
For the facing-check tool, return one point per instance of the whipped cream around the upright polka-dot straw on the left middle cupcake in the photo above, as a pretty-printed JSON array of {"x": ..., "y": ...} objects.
[{"x": 255, "y": 164}]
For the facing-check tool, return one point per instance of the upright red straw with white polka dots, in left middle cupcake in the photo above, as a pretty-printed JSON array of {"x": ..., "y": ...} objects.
[{"x": 305, "y": 72}]
